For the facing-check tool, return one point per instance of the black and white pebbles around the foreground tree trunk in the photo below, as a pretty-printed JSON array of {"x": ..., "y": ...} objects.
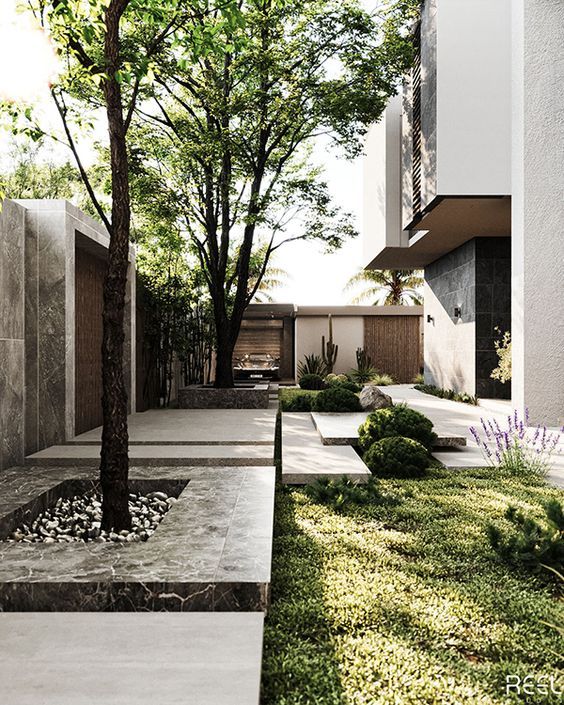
[{"x": 79, "y": 519}]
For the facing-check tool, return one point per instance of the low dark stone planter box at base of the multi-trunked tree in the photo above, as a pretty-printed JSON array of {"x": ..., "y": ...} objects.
[{"x": 252, "y": 396}]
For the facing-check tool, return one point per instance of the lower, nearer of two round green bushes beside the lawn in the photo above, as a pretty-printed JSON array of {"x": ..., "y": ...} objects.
[{"x": 397, "y": 457}]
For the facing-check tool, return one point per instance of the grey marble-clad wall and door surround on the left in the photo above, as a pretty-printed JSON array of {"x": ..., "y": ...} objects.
[{"x": 38, "y": 240}]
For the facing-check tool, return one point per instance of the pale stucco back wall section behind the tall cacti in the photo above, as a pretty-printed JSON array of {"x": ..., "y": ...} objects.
[{"x": 348, "y": 334}]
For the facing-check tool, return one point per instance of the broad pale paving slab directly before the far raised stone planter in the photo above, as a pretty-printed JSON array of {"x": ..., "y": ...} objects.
[{"x": 195, "y": 427}]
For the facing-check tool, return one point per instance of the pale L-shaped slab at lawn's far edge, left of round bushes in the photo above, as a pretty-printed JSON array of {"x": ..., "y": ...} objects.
[{"x": 305, "y": 458}]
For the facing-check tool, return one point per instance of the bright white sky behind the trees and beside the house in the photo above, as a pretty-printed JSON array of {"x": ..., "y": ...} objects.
[{"x": 314, "y": 277}]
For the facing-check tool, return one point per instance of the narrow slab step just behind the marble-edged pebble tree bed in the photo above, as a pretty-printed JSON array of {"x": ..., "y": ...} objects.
[{"x": 155, "y": 455}]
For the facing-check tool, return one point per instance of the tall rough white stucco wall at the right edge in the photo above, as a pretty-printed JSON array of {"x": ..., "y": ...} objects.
[{"x": 538, "y": 209}]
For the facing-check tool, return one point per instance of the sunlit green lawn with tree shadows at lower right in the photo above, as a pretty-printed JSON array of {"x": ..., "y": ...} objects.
[{"x": 405, "y": 602}]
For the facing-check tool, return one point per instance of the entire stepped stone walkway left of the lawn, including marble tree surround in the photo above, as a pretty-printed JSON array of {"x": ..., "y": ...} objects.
[{"x": 221, "y": 561}]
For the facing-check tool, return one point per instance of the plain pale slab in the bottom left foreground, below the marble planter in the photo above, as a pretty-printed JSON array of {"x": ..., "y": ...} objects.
[{"x": 130, "y": 659}]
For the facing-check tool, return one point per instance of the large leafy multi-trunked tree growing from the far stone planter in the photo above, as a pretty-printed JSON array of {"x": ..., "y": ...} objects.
[{"x": 228, "y": 140}]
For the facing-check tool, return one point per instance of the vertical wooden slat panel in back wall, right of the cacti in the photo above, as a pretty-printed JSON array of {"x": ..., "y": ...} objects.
[{"x": 394, "y": 343}]
